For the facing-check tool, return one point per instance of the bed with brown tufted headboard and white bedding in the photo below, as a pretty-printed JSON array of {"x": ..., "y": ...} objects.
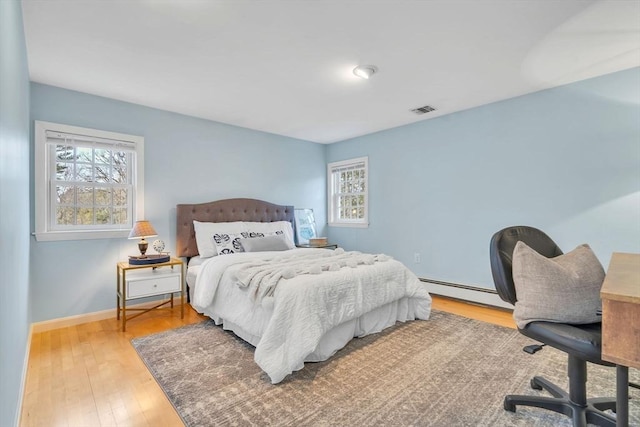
[{"x": 295, "y": 305}]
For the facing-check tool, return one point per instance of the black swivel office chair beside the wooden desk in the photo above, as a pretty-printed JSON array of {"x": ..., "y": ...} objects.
[{"x": 582, "y": 343}]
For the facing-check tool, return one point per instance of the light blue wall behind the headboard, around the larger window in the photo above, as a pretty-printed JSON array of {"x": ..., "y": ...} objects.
[{"x": 187, "y": 160}]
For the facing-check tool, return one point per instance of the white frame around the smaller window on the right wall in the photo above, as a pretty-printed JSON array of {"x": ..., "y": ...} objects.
[{"x": 333, "y": 195}]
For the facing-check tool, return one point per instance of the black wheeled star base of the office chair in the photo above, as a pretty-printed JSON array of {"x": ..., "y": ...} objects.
[{"x": 591, "y": 412}]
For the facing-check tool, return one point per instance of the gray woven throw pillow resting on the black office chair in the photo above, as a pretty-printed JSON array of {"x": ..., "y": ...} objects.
[{"x": 564, "y": 289}]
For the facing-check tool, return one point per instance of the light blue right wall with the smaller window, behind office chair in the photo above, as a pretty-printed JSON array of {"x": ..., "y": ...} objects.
[{"x": 566, "y": 160}]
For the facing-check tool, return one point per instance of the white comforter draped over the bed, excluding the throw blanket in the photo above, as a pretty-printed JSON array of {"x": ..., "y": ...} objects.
[{"x": 304, "y": 306}]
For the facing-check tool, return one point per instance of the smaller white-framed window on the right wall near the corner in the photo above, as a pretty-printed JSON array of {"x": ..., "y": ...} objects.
[{"x": 348, "y": 193}]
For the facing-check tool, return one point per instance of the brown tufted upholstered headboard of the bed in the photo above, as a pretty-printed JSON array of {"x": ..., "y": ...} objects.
[{"x": 228, "y": 210}]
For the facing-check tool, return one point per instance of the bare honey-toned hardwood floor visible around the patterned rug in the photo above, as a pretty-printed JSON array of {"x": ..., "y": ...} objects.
[{"x": 90, "y": 375}]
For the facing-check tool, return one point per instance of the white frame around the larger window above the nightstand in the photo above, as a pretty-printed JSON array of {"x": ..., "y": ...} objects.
[{"x": 45, "y": 230}]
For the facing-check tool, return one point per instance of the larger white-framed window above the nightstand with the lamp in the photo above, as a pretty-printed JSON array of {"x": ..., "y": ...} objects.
[{"x": 88, "y": 183}]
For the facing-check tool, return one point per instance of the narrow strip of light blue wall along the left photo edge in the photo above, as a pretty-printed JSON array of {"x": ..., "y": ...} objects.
[{"x": 14, "y": 210}]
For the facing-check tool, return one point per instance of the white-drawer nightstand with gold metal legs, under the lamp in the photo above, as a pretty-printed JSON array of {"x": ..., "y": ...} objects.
[{"x": 141, "y": 281}]
